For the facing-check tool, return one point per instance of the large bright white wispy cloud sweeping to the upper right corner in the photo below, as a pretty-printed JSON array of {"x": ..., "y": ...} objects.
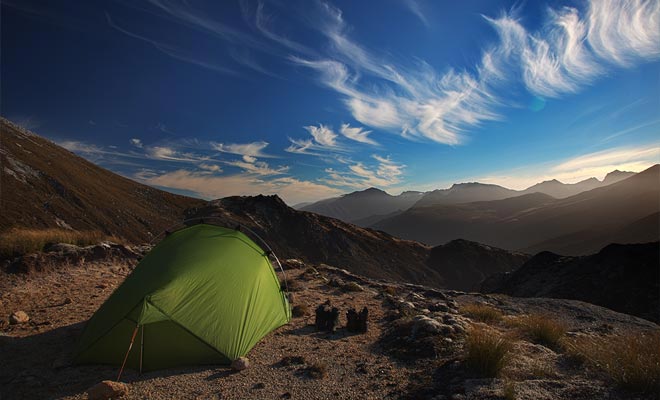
[{"x": 567, "y": 53}]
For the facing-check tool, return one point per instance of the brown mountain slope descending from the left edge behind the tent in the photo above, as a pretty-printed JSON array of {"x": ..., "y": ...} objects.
[{"x": 46, "y": 186}]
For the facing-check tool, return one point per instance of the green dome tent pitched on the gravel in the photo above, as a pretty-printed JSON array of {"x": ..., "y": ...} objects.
[{"x": 203, "y": 295}]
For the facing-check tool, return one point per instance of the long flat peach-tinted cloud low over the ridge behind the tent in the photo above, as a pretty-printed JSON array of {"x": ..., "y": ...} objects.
[{"x": 291, "y": 190}]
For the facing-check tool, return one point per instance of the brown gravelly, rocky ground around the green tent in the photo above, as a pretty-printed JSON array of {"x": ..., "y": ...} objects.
[{"x": 35, "y": 355}]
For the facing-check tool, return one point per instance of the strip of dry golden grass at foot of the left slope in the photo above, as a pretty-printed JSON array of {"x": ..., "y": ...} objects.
[{"x": 17, "y": 241}]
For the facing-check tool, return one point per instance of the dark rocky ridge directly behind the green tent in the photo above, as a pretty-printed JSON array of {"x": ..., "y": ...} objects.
[{"x": 318, "y": 239}]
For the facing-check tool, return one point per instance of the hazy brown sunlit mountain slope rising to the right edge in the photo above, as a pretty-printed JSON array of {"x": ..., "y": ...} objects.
[{"x": 579, "y": 224}]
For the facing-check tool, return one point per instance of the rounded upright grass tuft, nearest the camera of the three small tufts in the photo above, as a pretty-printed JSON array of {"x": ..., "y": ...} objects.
[{"x": 487, "y": 352}]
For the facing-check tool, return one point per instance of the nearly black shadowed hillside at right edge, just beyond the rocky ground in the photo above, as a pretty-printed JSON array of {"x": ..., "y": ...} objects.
[{"x": 624, "y": 278}]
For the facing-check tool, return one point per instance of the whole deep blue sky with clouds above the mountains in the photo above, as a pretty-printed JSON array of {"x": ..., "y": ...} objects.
[{"x": 312, "y": 99}]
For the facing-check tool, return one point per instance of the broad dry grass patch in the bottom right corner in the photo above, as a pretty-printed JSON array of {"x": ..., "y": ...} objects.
[{"x": 631, "y": 360}]
